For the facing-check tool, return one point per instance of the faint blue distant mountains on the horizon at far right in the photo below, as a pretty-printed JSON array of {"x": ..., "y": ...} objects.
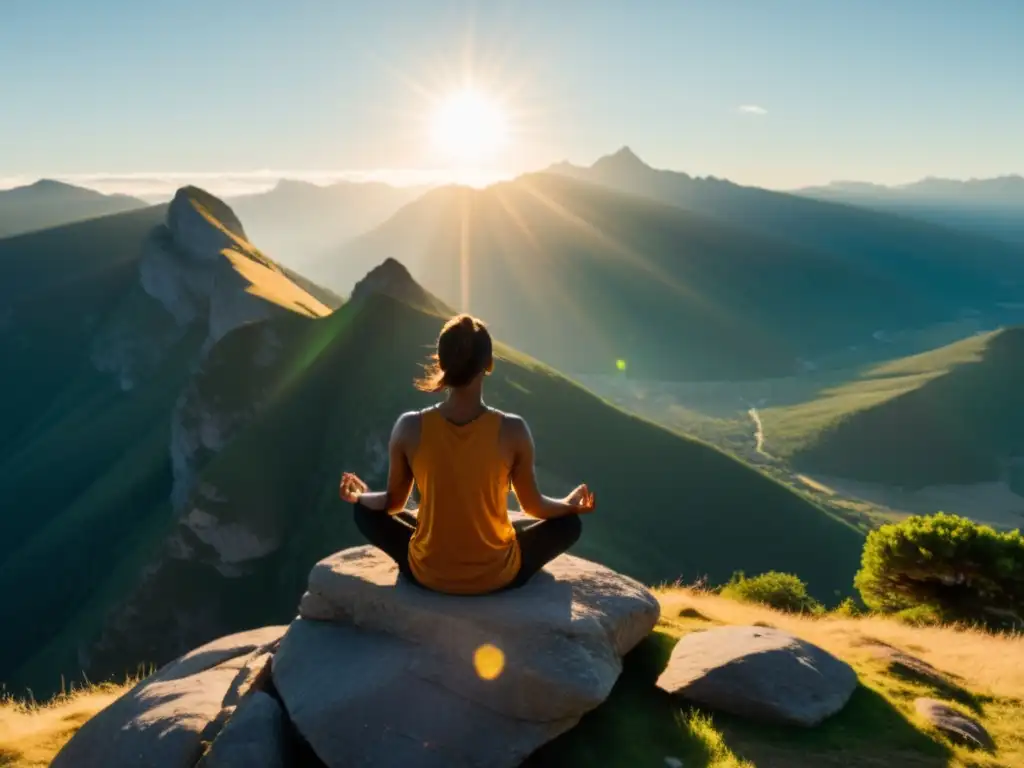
[{"x": 994, "y": 207}]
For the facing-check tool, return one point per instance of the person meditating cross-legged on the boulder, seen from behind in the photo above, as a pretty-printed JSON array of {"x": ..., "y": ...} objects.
[{"x": 464, "y": 457}]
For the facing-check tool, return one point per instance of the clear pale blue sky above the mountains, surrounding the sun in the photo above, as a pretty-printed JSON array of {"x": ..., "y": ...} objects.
[{"x": 878, "y": 91}]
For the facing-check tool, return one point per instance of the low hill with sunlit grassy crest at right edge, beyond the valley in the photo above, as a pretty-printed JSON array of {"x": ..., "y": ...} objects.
[{"x": 955, "y": 415}]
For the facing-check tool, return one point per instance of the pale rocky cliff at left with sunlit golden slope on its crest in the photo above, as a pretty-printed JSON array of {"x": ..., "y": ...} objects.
[{"x": 196, "y": 275}]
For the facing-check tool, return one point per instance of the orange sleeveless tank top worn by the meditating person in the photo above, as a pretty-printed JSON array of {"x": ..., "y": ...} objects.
[{"x": 464, "y": 543}]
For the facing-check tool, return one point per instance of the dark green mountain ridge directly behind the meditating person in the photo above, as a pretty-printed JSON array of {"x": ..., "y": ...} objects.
[{"x": 267, "y": 506}]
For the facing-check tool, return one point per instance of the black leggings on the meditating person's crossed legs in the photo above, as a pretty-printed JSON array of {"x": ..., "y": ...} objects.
[{"x": 540, "y": 541}]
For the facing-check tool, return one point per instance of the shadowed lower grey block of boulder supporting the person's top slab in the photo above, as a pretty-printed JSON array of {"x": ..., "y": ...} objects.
[{"x": 358, "y": 699}]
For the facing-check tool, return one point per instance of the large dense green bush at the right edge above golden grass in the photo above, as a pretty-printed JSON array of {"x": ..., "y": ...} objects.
[{"x": 956, "y": 569}]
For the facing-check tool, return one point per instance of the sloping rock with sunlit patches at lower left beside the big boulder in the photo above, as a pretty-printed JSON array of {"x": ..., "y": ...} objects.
[{"x": 163, "y": 721}]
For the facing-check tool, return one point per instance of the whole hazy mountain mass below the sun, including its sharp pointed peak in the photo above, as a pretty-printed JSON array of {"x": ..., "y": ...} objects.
[{"x": 681, "y": 278}]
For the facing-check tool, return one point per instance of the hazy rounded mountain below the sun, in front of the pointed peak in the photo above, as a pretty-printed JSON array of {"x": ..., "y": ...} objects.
[{"x": 582, "y": 277}]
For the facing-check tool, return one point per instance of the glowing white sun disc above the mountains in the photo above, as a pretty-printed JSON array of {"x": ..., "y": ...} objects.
[{"x": 468, "y": 126}]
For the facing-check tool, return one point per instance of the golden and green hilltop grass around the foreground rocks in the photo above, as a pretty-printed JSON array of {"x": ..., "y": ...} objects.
[{"x": 982, "y": 674}]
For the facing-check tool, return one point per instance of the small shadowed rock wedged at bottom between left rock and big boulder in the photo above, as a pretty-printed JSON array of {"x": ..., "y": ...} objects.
[{"x": 257, "y": 737}]
